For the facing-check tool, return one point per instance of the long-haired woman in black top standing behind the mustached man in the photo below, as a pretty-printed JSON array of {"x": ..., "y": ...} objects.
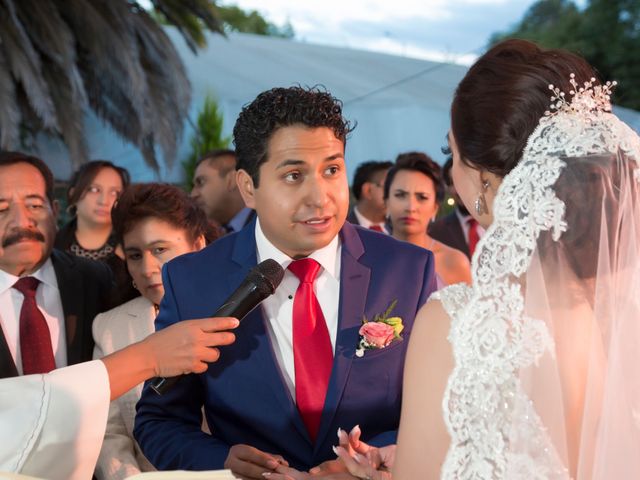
[{"x": 92, "y": 192}]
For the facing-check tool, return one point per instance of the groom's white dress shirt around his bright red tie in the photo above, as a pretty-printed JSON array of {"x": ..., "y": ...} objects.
[{"x": 278, "y": 308}]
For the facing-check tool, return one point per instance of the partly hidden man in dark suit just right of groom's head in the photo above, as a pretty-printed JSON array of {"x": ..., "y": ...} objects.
[{"x": 368, "y": 187}]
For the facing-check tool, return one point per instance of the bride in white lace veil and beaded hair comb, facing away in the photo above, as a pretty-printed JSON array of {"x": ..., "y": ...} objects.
[{"x": 530, "y": 373}]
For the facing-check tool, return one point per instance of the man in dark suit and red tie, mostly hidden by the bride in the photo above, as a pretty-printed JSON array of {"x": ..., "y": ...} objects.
[{"x": 458, "y": 229}]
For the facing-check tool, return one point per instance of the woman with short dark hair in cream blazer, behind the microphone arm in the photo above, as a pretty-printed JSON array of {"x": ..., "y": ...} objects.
[{"x": 154, "y": 223}]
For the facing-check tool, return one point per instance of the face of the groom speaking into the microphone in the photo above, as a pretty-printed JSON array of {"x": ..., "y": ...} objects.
[{"x": 303, "y": 194}]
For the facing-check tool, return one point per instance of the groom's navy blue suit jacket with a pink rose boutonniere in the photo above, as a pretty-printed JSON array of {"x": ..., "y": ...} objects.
[{"x": 244, "y": 395}]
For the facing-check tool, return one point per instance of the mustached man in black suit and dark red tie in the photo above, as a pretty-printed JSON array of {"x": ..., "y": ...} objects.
[{"x": 48, "y": 298}]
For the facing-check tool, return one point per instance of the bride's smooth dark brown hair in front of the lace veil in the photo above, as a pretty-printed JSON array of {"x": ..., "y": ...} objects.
[{"x": 501, "y": 99}]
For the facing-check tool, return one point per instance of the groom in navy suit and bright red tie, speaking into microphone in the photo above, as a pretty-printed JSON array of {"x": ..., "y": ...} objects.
[{"x": 280, "y": 392}]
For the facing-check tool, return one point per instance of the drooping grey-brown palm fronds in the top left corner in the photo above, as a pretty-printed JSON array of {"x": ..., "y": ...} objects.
[{"x": 58, "y": 58}]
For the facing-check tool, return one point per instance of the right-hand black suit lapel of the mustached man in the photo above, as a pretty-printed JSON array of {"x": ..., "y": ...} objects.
[{"x": 72, "y": 293}]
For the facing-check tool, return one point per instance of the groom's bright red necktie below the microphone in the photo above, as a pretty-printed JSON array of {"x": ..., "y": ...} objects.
[{"x": 312, "y": 351}]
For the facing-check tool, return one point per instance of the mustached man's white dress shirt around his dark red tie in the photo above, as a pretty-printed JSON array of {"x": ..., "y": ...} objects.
[{"x": 49, "y": 303}]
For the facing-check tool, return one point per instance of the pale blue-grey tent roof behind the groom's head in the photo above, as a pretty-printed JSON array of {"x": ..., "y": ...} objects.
[{"x": 399, "y": 103}]
